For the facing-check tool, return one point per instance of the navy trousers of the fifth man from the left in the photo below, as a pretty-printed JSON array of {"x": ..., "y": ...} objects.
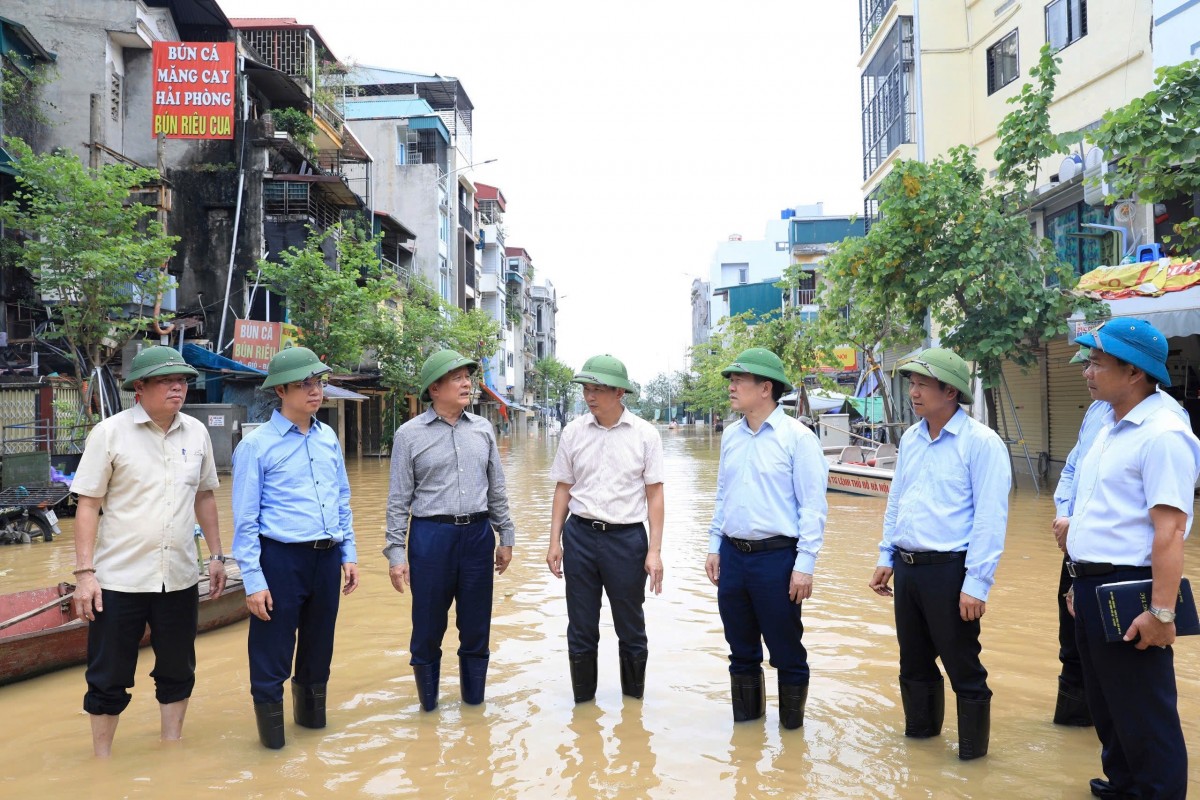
[{"x": 753, "y": 599}]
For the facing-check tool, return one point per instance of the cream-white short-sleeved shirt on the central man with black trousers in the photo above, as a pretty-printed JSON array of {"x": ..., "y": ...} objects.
[{"x": 609, "y": 468}]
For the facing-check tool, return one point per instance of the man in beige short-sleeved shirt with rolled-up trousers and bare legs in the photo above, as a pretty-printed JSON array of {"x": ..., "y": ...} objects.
[{"x": 151, "y": 470}]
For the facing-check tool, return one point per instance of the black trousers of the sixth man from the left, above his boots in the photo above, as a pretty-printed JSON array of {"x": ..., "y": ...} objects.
[{"x": 929, "y": 627}]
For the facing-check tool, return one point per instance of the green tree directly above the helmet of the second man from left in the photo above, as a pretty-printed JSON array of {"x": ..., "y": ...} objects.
[{"x": 331, "y": 297}]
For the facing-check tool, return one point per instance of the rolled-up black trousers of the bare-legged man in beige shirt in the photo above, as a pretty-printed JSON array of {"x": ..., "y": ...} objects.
[{"x": 115, "y": 636}]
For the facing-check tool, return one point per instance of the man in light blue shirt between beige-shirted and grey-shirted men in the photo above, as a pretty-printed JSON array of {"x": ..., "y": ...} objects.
[{"x": 293, "y": 540}]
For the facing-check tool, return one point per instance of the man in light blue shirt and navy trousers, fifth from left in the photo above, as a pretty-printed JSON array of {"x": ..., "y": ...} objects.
[{"x": 767, "y": 531}]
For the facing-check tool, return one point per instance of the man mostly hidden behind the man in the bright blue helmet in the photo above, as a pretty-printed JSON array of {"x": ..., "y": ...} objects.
[{"x": 1071, "y": 708}]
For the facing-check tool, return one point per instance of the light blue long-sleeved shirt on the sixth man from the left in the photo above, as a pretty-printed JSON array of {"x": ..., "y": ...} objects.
[{"x": 951, "y": 495}]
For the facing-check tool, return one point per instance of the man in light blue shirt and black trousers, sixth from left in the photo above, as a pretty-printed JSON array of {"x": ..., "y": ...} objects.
[{"x": 944, "y": 533}]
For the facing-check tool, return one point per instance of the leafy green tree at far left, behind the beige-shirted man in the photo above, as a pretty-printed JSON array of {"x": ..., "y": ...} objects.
[{"x": 94, "y": 252}]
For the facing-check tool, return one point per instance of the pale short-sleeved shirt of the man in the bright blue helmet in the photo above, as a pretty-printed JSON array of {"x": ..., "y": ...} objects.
[{"x": 1150, "y": 458}]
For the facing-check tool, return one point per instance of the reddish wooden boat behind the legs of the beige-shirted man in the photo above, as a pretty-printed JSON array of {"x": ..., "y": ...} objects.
[{"x": 40, "y": 631}]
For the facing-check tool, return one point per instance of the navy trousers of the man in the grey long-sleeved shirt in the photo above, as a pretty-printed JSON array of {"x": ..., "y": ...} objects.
[{"x": 449, "y": 564}]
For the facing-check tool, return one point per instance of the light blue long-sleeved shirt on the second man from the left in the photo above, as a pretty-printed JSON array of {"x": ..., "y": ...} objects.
[{"x": 291, "y": 488}]
